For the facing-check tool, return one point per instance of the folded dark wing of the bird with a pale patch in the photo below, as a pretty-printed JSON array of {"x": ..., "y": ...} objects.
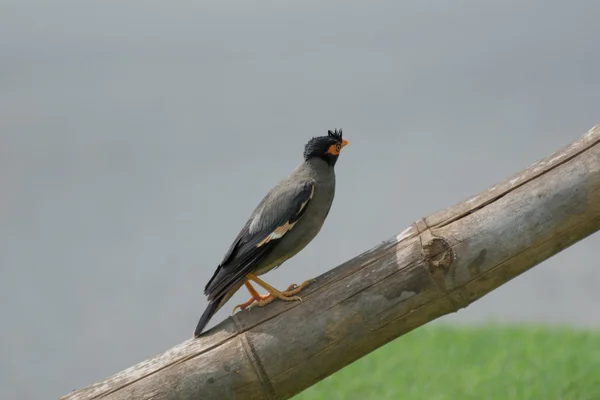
[{"x": 276, "y": 215}]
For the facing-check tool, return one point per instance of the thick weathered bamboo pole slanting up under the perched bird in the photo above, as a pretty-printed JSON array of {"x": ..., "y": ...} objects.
[{"x": 436, "y": 266}]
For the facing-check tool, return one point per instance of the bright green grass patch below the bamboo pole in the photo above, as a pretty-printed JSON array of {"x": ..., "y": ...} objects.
[{"x": 438, "y": 362}]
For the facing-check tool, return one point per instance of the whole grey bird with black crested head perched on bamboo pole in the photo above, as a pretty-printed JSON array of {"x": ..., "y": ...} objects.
[{"x": 284, "y": 222}]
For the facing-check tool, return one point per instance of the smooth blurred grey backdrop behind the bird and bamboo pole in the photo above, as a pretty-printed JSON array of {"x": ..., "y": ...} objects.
[{"x": 136, "y": 138}]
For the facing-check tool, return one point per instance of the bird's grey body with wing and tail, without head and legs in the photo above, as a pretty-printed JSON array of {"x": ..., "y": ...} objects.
[{"x": 313, "y": 175}]
